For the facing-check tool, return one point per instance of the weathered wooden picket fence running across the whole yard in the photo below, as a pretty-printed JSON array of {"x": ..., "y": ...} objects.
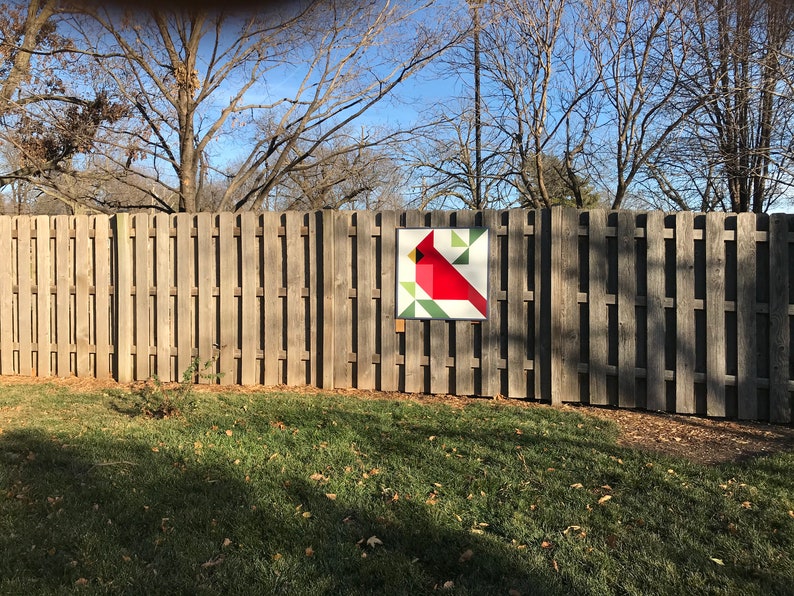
[{"x": 684, "y": 313}]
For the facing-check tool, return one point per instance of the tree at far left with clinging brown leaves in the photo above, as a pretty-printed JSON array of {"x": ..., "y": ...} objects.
[{"x": 51, "y": 112}]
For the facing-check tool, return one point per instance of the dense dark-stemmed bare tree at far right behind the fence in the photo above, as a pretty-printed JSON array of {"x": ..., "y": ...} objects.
[{"x": 735, "y": 152}]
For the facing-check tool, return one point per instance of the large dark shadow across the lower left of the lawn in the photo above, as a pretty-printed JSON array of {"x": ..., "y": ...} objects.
[{"x": 119, "y": 516}]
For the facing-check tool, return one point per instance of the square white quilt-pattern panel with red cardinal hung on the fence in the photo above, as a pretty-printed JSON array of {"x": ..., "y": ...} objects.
[{"x": 442, "y": 273}]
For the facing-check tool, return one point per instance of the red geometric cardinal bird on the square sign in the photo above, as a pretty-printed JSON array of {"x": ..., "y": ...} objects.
[{"x": 436, "y": 276}]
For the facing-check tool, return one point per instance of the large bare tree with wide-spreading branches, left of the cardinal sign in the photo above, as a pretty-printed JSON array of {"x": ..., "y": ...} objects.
[{"x": 253, "y": 99}]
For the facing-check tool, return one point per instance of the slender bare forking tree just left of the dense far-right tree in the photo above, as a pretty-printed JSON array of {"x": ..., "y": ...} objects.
[{"x": 642, "y": 51}]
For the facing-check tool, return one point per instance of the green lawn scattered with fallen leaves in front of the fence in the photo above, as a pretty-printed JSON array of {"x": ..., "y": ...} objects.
[{"x": 294, "y": 494}]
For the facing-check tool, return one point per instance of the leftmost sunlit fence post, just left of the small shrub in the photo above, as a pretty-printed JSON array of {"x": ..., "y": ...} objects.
[{"x": 122, "y": 290}]
